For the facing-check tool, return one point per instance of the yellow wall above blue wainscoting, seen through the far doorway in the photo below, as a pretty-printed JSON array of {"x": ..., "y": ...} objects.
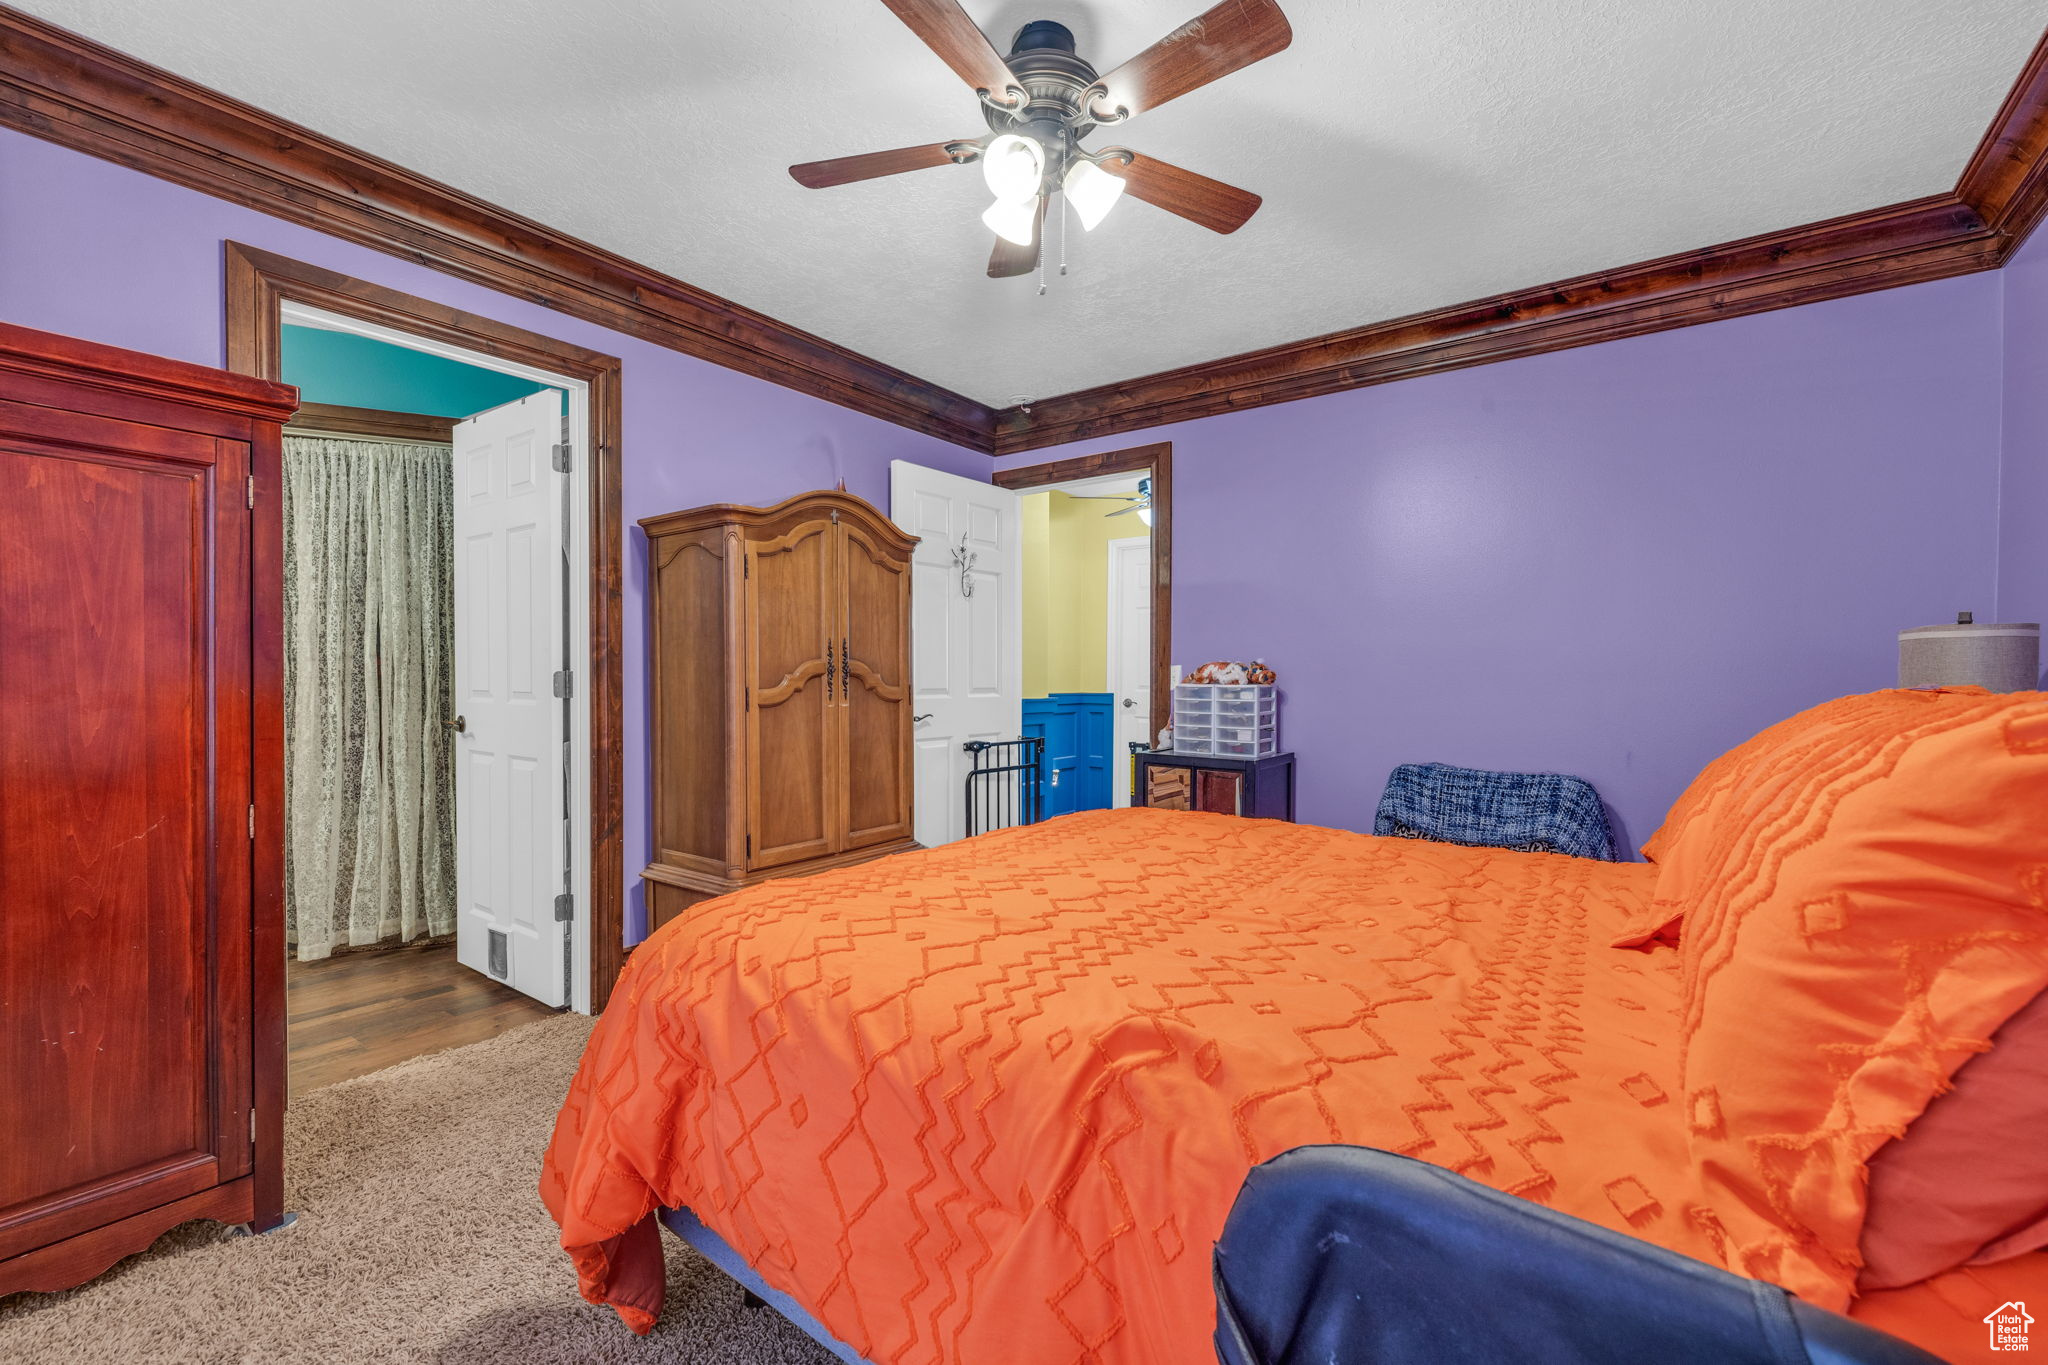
[{"x": 1068, "y": 590}]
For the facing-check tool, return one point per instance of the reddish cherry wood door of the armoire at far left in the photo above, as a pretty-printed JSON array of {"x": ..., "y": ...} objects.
[{"x": 126, "y": 871}]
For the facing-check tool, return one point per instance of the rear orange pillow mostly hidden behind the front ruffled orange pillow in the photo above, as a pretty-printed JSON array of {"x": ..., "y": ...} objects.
[{"x": 1693, "y": 828}]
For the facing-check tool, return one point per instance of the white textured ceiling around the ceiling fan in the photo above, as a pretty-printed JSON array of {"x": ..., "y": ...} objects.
[{"x": 1412, "y": 155}]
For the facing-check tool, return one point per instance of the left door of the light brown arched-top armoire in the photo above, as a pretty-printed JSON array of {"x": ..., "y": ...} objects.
[{"x": 792, "y": 717}]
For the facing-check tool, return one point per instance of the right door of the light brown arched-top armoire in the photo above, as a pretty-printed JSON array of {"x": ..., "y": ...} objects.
[{"x": 876, "y": 693}]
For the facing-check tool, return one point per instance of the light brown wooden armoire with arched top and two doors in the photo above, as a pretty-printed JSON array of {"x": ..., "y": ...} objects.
[{"x": 779, "y": 650}]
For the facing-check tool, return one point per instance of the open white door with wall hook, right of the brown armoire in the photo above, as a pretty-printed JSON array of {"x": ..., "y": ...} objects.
[{"x": 966, "y": 633}]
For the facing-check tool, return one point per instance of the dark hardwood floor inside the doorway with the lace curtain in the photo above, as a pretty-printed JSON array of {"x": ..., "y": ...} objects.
[{"x": 361, "y": 1012}]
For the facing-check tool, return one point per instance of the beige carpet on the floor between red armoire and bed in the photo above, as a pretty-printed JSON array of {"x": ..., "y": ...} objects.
[{"x": 419, "y": 1239}]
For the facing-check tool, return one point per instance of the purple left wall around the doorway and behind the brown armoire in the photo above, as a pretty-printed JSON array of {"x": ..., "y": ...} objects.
[{"x": 95, "y": 251}]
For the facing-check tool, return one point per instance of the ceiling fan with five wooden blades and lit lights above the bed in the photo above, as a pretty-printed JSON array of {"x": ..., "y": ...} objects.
[{"x": 1043, "y": 99}]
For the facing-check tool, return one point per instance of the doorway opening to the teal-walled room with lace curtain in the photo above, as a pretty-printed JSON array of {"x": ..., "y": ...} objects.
[{"x": 390, "y": 953}]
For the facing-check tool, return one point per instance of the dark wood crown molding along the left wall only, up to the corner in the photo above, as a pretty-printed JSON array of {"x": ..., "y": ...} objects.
[{"x": 83, "y": 95}]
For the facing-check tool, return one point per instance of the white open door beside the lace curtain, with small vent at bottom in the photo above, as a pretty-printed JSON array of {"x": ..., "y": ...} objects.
[{"x": 511, "y": 750}]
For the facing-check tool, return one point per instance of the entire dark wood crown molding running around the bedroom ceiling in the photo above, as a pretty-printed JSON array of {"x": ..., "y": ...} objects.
[{"x": 93, "y": 99}]
